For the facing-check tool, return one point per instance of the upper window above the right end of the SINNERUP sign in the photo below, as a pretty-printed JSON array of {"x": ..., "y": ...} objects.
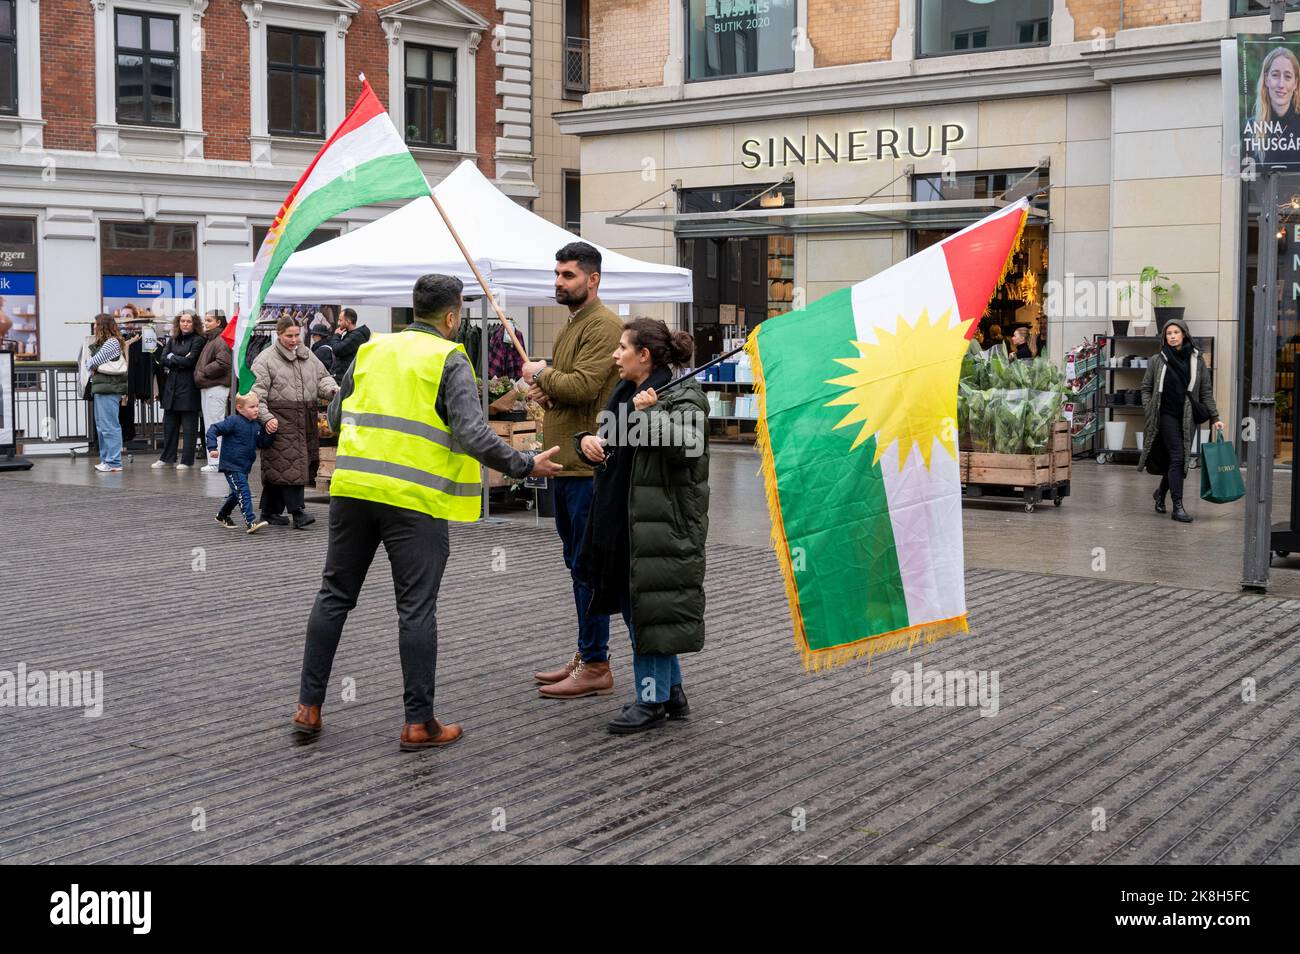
[{"x": 956, "y": 27}]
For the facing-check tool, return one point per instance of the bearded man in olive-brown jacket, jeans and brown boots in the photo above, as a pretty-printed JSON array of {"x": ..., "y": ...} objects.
[{"x": 575, "y": 389}]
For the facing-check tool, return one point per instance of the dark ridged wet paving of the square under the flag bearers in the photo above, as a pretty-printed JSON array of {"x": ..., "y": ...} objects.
[{"x": 1124, "y": 699}]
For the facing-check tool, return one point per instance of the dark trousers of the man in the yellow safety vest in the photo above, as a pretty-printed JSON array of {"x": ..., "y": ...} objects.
[{"x": 418, "y": 548}]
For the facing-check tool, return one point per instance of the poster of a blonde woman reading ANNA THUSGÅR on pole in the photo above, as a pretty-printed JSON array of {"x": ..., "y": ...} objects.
[{"x": 1271, "y": 131}]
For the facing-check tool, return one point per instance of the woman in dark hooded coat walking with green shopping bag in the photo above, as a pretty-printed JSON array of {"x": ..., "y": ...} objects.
[{"x": 1178, "y": 396}]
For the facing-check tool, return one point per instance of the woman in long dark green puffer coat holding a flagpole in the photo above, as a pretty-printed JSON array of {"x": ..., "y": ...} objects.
[{"x": 644, "y": 553}]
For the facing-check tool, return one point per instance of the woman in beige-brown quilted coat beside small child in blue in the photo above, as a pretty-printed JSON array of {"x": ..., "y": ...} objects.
[{"x": 291, "y": 381}]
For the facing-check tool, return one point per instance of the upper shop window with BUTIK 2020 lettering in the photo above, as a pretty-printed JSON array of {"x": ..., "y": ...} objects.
[{"x": 739, "y": 38}]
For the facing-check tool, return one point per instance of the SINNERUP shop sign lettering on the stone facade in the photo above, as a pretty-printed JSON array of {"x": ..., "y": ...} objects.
[{"x": 853, "y": 146}]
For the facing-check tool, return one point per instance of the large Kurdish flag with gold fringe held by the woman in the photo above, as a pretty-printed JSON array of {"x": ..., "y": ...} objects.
[{"x": 859, "y": 433}]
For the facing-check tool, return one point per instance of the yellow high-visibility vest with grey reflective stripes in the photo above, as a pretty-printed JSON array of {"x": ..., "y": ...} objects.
[{"x": 393, "y": 448}]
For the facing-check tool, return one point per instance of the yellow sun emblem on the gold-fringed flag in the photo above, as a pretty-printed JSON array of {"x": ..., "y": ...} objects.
[{"x": 904, "y": 388}]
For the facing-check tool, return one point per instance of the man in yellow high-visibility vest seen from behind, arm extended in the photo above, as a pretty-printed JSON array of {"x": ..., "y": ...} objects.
[{"x": 411, "y": 435}]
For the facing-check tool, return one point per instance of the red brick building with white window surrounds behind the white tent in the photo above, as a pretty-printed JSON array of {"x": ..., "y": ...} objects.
[{"x": 75, "y": 153}]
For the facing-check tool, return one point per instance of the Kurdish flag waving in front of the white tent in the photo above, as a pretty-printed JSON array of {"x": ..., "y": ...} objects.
[{"x": 365, "y": 162}]
